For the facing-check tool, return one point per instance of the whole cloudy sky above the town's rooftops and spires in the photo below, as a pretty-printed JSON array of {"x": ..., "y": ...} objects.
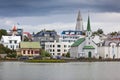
[{"x": 59, "y": 15}]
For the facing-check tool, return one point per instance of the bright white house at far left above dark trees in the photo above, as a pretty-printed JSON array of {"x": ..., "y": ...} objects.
[{"x": 12, "y": 42}]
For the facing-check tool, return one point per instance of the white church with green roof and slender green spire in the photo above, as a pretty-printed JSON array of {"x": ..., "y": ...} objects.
[{"x": 84, "y": 47}]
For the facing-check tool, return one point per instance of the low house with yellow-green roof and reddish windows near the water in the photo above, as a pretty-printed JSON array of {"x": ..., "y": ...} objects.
[{"x": 30, "y": 48}]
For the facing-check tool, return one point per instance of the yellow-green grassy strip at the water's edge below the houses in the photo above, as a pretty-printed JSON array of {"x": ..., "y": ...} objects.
[{"x": 46, "y": 61}]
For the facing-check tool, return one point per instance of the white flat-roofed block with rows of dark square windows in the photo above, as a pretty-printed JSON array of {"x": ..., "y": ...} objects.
[{"x": 57, "y": 48}]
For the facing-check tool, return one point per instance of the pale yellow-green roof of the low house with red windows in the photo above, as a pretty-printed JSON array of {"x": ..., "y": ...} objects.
[{"x": 30, "y": 45}]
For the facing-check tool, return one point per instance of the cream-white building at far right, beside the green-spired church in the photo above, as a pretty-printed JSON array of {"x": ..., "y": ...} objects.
[{"x": 109, "y": 49}]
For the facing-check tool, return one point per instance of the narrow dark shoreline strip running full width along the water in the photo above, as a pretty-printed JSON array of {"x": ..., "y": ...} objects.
[{"x": 62, "y": 60}]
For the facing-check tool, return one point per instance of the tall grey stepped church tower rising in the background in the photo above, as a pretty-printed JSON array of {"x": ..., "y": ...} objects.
[{"x": 79, "y": 24}]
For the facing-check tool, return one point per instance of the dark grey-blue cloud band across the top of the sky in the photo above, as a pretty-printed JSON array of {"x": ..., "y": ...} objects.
[{"x": 10, "y": 8}]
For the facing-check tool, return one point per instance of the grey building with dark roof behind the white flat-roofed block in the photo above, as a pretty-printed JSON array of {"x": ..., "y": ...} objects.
[{"x": 46, "y": 36}]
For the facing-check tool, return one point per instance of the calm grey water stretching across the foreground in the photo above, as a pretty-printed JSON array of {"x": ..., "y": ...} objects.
[{"x": 60, "y": 71}]
